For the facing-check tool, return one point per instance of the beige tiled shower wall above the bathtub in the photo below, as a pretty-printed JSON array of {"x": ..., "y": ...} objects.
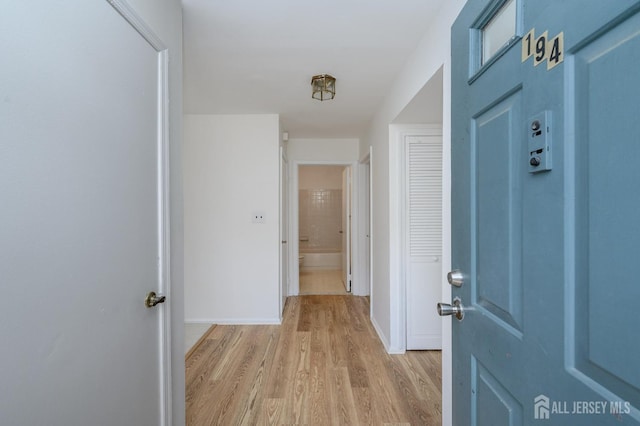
[{"x": 320, "y": 219}]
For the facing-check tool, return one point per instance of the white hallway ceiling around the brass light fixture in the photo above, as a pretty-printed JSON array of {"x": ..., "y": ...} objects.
[{"x": 258, "y": 56}]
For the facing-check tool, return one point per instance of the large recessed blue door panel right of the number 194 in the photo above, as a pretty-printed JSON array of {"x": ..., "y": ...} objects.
[{"x": 606, "y": 177}]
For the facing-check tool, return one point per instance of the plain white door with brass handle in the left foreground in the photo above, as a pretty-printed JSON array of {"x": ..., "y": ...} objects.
[{"x": 81, "y": 217}]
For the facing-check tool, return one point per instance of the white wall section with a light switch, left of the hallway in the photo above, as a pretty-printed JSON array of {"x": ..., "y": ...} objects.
[{"x": 231, "y": 169}]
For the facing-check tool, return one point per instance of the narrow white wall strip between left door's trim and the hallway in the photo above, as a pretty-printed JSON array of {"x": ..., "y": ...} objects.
[{"x": 164, "y": 17}]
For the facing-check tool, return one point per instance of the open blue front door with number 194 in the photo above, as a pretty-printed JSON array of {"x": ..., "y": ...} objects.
[{"x": 546, "y": 203}]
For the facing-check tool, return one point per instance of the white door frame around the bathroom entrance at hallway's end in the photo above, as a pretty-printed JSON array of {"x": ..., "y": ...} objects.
[{"x": 294, "y": 237}]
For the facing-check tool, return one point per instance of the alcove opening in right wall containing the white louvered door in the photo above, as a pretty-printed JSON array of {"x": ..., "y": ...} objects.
[{"x": 418, "y": 220}]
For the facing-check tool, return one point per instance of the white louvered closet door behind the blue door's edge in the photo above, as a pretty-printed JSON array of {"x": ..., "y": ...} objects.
[{"x": 423, "y": 240}]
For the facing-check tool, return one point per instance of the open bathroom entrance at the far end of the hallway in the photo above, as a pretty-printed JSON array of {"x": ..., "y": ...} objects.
[{"x": 324, "y": 229}]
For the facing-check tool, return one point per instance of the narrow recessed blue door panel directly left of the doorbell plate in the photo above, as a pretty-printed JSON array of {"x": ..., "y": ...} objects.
[{"x": 497, "y": 142}]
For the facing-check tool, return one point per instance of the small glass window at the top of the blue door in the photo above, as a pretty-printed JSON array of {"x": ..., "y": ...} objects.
[{"x": 498, "y": 31}]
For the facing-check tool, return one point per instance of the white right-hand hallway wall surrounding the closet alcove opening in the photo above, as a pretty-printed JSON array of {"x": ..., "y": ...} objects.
[{"x": 433, "y": 52}]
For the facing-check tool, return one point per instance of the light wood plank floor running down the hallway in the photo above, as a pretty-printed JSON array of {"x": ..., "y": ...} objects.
[{"x": 323, "y": 366}]
